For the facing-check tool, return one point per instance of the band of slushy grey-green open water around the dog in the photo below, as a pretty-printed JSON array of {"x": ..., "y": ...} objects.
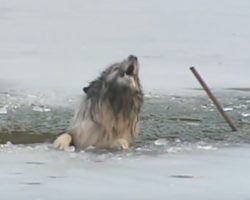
[{"x": 38, "y": 118}]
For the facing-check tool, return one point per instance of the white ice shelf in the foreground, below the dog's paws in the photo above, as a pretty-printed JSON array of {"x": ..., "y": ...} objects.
[{"x": 41, "y": 173}]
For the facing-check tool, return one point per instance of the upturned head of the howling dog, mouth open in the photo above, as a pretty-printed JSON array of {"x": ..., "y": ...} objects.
[{"x": 118, "y": 77}]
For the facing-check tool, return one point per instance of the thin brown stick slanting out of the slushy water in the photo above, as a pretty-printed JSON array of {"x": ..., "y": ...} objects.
[{"x": 214, "y": 99}]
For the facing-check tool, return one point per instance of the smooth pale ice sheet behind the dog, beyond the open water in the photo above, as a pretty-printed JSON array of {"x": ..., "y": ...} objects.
[{"x": 64, "y": 44}]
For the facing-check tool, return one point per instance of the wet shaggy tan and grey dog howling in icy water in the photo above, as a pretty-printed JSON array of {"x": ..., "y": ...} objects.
[{"x": 108, "y": 114}]
